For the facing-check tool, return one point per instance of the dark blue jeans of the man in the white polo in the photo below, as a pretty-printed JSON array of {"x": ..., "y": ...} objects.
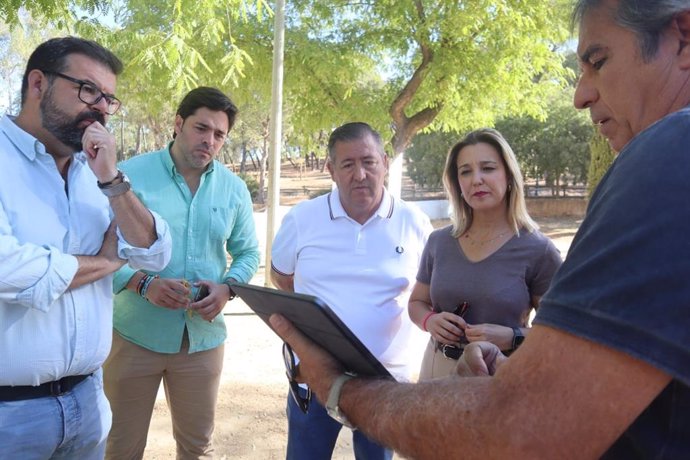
[{"x": 312, "y": 436}]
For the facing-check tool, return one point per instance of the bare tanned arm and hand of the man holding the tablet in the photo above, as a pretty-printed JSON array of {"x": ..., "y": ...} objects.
[{"x": 555, "y": 391}]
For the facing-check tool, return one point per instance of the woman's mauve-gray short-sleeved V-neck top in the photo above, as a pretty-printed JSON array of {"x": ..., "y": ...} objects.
[{"x": 498, "y": 288}]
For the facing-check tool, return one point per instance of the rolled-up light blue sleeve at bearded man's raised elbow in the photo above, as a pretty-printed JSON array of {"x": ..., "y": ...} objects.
[{"x": 156, "y": 257}]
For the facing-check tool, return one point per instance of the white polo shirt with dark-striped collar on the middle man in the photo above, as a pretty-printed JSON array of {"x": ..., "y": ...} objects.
[{"x": 363, "y": 272}]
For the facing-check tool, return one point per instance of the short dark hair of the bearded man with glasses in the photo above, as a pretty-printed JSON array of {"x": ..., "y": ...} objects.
[{"x": 51, "y": 56}]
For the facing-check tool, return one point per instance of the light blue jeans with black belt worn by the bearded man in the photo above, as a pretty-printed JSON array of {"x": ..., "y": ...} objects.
[{"x": 72, "y": 426}]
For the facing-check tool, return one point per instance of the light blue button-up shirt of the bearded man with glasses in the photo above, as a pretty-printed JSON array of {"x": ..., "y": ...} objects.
[{"x": 48, "y": 331}]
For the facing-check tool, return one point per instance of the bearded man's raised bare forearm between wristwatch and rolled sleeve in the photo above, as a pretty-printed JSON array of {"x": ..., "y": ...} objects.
[{"x": 133, "y": 219}]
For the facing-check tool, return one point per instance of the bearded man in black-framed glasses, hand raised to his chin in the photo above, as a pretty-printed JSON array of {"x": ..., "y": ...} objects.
[{"x": 68, "y": 220}]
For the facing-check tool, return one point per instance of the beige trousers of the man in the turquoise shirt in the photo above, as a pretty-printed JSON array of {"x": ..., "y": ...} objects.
[{"x": 131, "y": 378}]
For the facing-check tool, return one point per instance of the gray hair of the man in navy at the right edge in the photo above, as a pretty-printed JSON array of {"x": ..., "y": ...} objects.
[{"x": 647, "y": 19}]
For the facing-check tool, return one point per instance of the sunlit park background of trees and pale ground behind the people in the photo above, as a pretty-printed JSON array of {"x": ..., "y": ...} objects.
[{"x": 422, "y": 72}]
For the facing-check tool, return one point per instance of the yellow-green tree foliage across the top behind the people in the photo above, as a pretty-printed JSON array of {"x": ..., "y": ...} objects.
[{"x": 404, "y": 66}]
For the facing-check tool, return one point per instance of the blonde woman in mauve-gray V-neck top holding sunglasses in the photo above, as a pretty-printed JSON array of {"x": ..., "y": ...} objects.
[{"x": 480, "y": 277}]
